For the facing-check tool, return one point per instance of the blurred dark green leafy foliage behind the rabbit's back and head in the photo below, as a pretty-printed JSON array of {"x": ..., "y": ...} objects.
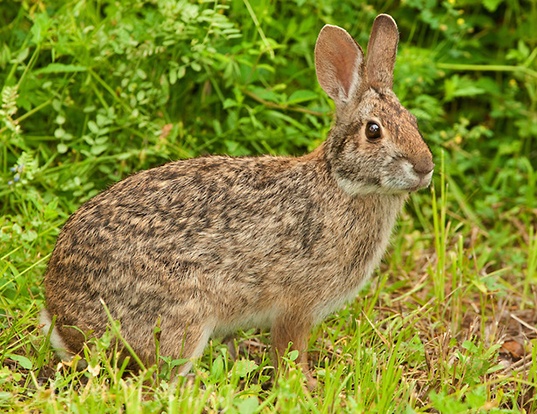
[{"x": 94, "y": 90}]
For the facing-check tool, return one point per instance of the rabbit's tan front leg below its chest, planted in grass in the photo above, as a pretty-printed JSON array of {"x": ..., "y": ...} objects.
[{"x": 291, "y": 332}]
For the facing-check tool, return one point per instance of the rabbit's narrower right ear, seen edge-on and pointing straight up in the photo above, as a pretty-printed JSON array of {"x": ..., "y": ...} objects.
[{"x": 381, "y": 52}]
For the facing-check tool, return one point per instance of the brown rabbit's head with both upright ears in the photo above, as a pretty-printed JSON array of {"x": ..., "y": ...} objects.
[{"x": 375, "y": 145}]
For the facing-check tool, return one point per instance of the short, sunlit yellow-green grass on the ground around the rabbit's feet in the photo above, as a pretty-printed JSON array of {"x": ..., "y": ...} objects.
[{"x": 401, "y": 346}]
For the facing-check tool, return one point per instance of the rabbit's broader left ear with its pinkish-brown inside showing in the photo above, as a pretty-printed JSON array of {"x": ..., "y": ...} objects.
[{"x": 339, "y": 63}]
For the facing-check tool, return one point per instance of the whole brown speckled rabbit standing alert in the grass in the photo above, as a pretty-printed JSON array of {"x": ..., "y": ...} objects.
[{"x": 213, "y": 244}]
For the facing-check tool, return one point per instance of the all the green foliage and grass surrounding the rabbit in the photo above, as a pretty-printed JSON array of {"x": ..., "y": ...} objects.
[{"x": 95, "y": 90}]
